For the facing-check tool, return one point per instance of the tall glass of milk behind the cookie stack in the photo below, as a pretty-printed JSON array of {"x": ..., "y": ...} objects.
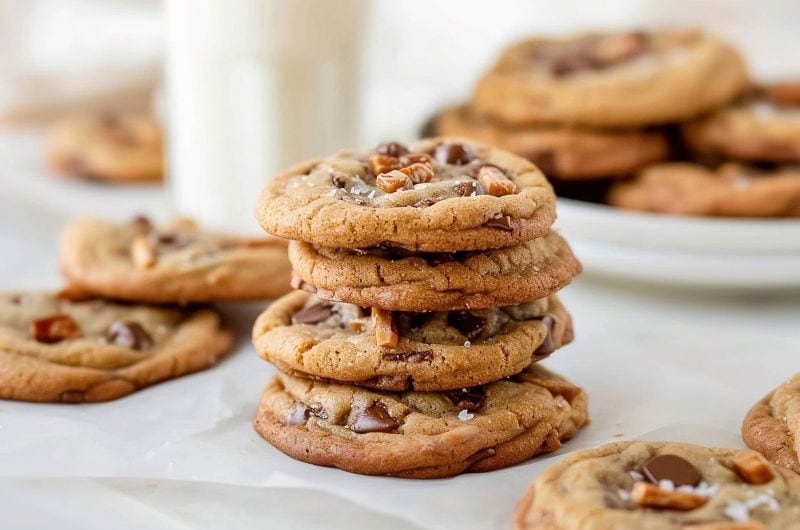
[{"x": 254, "y": 86}]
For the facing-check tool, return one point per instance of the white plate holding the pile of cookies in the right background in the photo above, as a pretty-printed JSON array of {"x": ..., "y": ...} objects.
[{"x": 729, "y": 253}]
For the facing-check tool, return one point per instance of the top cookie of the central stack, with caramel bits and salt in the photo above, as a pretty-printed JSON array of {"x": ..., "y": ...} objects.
[{"x": 438, "y": 195}]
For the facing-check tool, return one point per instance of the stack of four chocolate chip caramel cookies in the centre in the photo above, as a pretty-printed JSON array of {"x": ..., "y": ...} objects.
[{"x": 426, "y": 279}]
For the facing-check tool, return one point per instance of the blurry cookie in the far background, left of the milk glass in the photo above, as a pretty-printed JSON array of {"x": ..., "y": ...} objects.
[{"x": 108, "y": 147}]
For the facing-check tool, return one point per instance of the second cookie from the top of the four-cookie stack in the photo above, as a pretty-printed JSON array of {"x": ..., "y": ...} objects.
[{"x": 399, "y": 280}]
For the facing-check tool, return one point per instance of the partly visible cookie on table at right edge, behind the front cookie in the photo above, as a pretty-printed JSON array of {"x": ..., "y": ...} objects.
[{"x": 772, "y": 427}]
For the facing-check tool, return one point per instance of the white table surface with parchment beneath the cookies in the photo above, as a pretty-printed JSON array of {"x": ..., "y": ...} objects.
[{"x": 656, "y": 363}]
